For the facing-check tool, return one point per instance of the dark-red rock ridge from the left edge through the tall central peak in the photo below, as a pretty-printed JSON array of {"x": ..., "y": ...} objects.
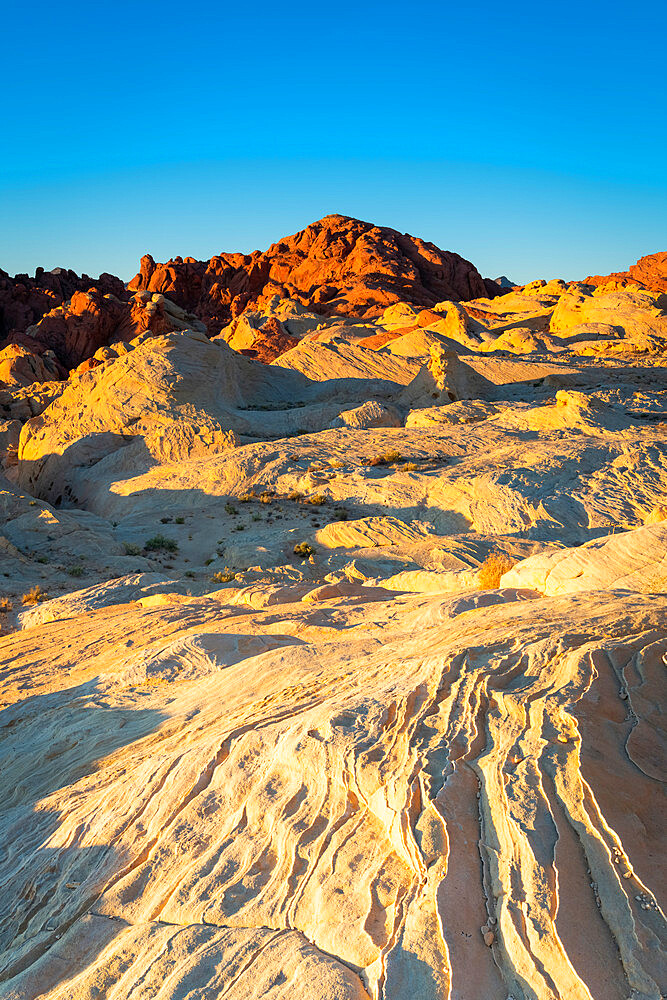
[{"x": 337, "y": 265}]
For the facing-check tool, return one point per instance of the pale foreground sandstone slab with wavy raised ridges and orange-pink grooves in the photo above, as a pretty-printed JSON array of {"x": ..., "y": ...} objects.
[{"x": 366, "y": 798}]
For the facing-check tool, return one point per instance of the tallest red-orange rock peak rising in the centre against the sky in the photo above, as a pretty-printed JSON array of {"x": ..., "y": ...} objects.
[{"x": 337, "y": 265}]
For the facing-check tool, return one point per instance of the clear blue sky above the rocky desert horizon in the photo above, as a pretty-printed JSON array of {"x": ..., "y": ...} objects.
[{"x": 531, "y": 138}]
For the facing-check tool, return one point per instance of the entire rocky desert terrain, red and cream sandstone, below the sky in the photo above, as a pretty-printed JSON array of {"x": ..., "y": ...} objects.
[{"x": 333, "y": 632}]
